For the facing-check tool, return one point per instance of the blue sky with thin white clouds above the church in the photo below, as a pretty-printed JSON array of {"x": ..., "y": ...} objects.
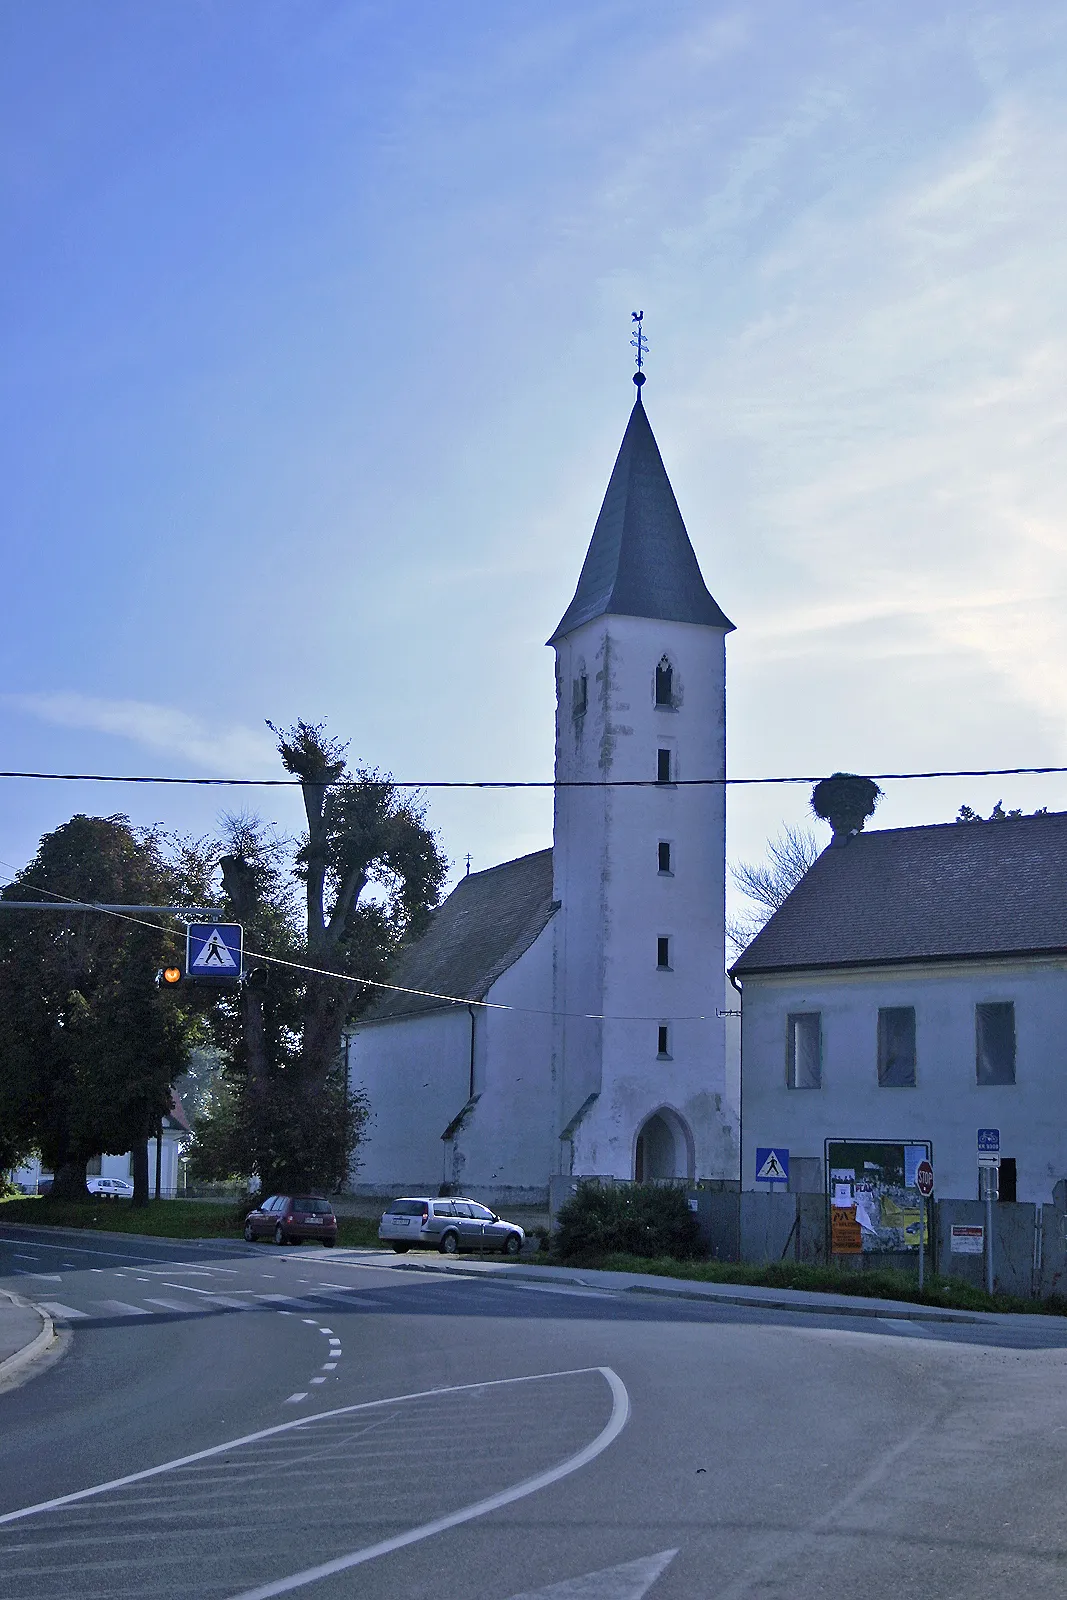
[{"x": 318, "y": 359}]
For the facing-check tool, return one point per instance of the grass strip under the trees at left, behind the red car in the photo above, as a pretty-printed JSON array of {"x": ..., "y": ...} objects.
[{"x": 159, "y": 1220}]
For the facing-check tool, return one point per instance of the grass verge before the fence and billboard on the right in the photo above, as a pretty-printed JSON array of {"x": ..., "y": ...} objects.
[{"x": 887, "y": 1284}]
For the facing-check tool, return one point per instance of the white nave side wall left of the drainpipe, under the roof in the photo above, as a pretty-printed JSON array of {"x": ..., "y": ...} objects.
[{"x": 417, "y": 1074}]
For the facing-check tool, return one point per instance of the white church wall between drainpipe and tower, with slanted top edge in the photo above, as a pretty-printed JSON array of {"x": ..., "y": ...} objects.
[{"x": 503, "y": 1154}]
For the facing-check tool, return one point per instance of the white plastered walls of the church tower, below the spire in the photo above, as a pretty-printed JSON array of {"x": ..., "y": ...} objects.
[{"x": 617, "y": 903}]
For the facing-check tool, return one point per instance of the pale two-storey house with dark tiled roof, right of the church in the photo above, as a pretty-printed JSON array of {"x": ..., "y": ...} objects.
[{"x": 914, "y": 988}]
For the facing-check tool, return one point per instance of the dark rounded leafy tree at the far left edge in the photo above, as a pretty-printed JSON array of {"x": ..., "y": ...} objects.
[{"x": 89, "y": 1046}]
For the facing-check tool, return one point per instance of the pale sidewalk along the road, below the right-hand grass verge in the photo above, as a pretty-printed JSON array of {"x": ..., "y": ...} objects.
[{"x": 719, "y": 1294}]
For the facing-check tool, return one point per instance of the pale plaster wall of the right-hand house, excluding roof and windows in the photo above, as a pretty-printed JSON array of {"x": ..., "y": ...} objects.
[{"x": 946, "y": 1106}]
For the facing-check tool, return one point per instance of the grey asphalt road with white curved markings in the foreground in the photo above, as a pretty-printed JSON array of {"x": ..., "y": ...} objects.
[{"x": 244, "y": 1422}]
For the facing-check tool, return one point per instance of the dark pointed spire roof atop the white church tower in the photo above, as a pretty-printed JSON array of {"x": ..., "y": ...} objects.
[{"x": 641, "y": 561}]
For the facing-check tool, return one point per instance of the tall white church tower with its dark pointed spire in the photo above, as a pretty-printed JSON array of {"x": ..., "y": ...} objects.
[{"x": 641, "y": 855}]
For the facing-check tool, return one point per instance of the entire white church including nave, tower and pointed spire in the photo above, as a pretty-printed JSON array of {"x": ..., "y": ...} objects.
[{"x": 564, "y": 1014}]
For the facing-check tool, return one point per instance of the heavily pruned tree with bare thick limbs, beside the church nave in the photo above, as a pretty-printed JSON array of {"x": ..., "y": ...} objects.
[{"x": 319, "y": 914}]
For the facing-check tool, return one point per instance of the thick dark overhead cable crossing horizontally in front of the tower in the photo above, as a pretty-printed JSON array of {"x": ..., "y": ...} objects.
[{"x": 537, "y": 783}]
